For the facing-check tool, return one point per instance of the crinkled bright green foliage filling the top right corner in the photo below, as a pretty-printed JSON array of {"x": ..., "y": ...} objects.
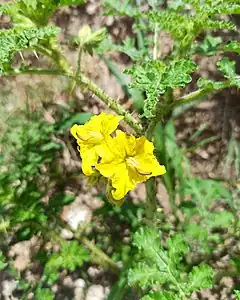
[{"x": 185, "y": 23}]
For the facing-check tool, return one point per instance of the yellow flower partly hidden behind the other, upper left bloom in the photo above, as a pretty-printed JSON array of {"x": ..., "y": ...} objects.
[{"x": 92, "y": 135}]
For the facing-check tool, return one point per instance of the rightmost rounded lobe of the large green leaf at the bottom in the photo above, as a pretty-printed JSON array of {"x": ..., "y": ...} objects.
[{"x": 201, "y": 277}]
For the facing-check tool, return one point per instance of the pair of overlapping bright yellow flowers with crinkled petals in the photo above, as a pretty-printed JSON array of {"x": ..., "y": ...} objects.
[{"x": 123, "y": 159}]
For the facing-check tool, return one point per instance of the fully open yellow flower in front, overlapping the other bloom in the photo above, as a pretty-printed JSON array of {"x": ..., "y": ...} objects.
[{"x": 128, "y": 161}]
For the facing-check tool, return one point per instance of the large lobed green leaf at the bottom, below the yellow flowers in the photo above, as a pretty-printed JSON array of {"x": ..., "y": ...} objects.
[{"x": 161, "y": 268}]
